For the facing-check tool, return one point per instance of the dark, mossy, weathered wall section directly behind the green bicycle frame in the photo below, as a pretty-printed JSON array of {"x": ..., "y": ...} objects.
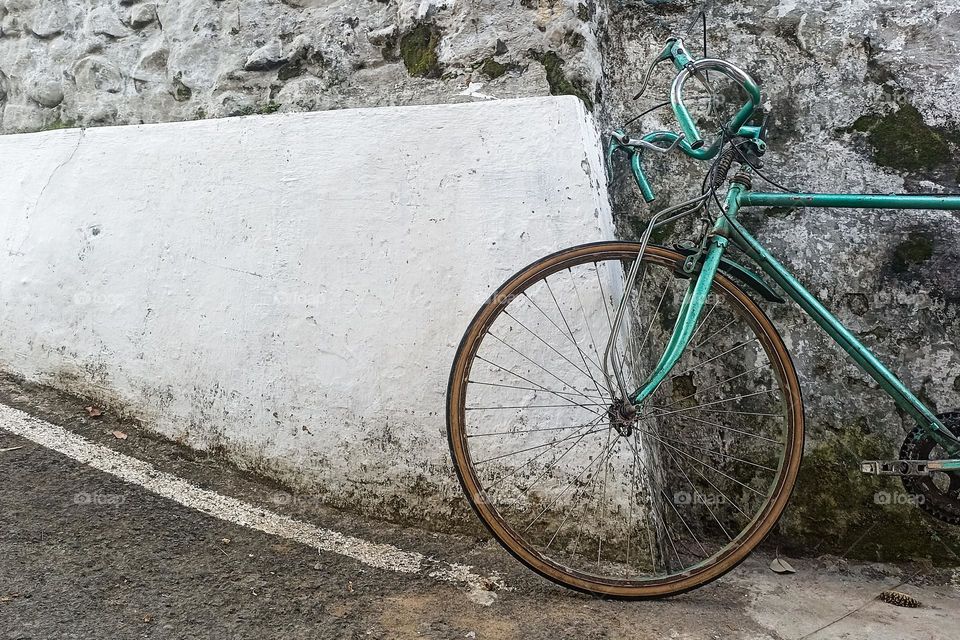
[{"x": 863, "y": 95}]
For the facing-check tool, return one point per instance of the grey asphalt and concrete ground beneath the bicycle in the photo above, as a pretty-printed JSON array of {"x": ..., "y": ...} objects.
[{"x": 85, "y": 554}]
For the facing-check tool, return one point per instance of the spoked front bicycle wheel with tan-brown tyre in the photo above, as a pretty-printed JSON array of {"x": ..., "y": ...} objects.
[{"x": 598, "y": 498}]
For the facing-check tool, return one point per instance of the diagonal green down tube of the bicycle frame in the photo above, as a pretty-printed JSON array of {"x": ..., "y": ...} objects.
[{"x": 863, "y": 356}]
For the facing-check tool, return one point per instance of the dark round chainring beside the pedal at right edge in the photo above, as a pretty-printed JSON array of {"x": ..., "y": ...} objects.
[{"x": 937, "y": 494}]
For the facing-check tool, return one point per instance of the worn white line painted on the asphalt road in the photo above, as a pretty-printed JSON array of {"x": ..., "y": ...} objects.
[{"x": 143, "y": 474}]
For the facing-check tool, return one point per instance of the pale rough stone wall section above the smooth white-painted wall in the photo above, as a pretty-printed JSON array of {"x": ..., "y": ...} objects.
[{"x": 97, "y": 62}]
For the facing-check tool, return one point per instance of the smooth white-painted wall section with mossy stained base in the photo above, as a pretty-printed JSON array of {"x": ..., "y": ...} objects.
[{"x": 288, "y": 288}]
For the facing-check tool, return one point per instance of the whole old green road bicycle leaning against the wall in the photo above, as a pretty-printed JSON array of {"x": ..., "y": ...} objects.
[{"x": 654, "y": 460}]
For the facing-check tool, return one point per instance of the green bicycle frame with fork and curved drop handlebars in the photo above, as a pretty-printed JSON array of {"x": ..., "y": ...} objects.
[{"x": 727, "y": 229}]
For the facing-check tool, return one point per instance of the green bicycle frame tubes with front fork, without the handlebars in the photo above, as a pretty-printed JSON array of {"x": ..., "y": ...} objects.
[{"x": 728, "y": 229}]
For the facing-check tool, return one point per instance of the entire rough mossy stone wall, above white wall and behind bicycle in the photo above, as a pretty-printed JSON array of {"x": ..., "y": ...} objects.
[{"x": 863, "y": 93}]
